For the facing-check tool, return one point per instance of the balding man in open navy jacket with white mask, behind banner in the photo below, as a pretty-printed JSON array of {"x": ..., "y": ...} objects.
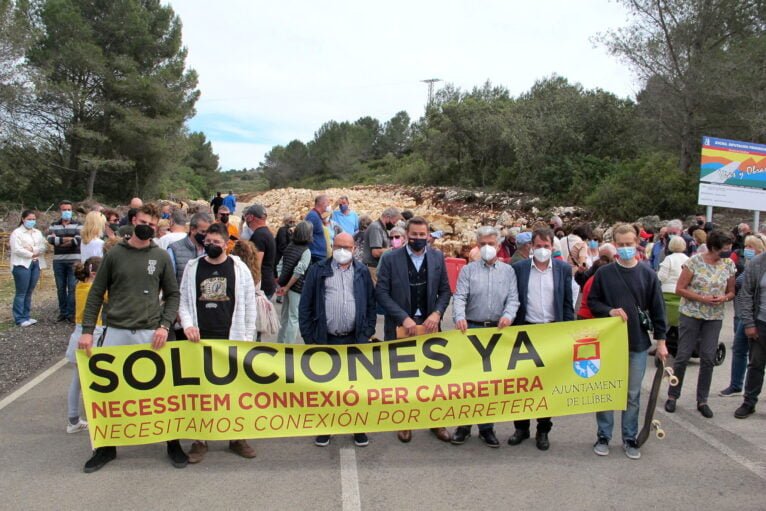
[{"x": 338, "y": 305}]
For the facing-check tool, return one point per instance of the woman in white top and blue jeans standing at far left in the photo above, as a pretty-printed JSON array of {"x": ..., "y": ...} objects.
[{"x": 27, "y": 248}]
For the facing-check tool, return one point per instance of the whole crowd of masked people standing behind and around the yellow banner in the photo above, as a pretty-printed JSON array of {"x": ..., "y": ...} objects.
[{"x": 156, "y": 275}]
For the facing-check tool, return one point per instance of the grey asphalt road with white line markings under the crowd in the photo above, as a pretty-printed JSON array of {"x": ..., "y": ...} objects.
[{"x": 717, "y": 463}]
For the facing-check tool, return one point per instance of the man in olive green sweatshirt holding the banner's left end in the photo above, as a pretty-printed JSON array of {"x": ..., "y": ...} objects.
[{"x": 133, "y": 273}]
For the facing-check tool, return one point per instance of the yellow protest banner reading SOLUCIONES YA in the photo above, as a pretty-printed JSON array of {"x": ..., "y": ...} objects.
[{"x": 217, "y": 390}]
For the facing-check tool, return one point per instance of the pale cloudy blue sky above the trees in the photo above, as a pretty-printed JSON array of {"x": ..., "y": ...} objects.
[{"x": 271, "y": 72}]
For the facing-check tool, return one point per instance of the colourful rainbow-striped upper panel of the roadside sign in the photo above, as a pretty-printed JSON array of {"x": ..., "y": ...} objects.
[{"x": 733, "y": 162}]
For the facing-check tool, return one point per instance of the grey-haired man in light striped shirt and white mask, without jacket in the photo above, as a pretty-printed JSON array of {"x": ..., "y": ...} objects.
[{"x": 486, "y": 297}]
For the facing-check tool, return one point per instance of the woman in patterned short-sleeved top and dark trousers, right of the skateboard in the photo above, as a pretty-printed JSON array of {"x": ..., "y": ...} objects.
[{"x": 705, "y": 284}]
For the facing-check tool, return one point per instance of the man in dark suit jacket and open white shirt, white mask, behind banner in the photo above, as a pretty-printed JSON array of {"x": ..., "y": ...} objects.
[{"x": 545, "y": 296}]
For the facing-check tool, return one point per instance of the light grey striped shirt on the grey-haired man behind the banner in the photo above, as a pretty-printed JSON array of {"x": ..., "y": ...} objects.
[{"x": 486, "y": 293}]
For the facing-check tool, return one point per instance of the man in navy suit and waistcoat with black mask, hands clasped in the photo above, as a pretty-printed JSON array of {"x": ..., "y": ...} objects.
[{"x": 413, "y": 290}]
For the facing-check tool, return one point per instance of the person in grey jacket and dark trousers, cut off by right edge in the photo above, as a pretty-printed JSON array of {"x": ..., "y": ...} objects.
[{"x": 751, "y": 310}]
